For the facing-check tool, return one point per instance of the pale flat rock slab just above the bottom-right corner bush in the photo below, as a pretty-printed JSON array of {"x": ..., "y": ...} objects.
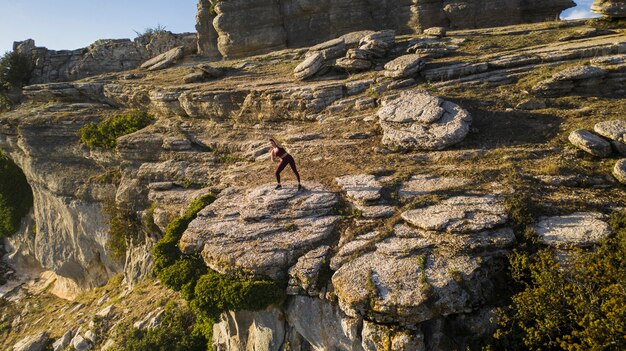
[{"x": 580, "y": 229}]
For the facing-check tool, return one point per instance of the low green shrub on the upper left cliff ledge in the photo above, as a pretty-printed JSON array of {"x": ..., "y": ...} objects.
[{"x": 105, "y": 134}]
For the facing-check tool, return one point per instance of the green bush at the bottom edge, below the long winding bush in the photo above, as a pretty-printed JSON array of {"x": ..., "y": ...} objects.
[{"x": 176, "y": 333}]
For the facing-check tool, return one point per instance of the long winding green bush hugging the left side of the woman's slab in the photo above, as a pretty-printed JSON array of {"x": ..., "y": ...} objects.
[{"x": 208, "y": 292}]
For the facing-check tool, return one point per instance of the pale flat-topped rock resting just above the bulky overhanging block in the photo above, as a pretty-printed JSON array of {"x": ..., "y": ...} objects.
[{"x": 461, "y": 214}]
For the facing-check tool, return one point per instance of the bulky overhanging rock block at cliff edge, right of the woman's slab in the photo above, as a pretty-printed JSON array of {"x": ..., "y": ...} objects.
[{"x": 414, "y": 275}]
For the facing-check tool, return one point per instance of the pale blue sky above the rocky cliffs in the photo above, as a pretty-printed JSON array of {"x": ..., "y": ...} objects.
[{"x": 72, "y": 24}]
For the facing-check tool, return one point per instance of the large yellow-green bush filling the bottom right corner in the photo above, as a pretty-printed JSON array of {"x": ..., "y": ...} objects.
[{"x": 577, "y": 304}]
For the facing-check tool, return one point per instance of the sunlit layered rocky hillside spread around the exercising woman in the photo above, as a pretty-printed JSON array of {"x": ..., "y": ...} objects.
[{"x": 418, "y": 155}]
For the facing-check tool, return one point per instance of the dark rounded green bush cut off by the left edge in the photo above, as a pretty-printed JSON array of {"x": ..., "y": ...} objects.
[{"x": 16, "y": 197}]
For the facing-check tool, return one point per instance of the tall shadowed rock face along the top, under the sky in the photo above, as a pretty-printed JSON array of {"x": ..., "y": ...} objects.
[{"x": 249, "y": 27}]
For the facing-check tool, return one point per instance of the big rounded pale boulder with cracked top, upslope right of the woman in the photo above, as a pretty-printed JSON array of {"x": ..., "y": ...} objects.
[{"x": 419, "y": 121}]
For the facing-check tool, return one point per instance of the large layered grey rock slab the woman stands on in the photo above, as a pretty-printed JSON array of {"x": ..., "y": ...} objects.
[{"x": 261, "y": 230}]
